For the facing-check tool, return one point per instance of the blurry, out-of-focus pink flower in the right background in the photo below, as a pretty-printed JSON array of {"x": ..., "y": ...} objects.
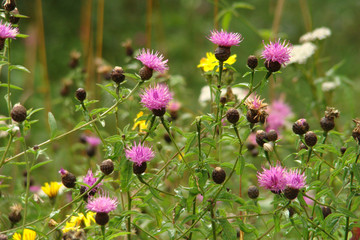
[{"x": 278, "y": 112}]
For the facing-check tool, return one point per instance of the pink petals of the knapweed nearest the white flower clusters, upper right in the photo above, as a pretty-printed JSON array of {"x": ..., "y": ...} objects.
[{"x": 277, "y": 52}]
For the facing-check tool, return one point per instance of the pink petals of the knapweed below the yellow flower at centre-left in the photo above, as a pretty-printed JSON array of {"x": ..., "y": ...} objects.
[{"x": 139, "y": 154}]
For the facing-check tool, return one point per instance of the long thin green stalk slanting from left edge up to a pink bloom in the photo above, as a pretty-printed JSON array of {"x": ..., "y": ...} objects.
[{"x": 81, "y": 126}]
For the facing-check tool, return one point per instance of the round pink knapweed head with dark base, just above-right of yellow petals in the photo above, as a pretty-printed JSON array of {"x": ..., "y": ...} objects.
[{"x": 156, "y": 98}]
